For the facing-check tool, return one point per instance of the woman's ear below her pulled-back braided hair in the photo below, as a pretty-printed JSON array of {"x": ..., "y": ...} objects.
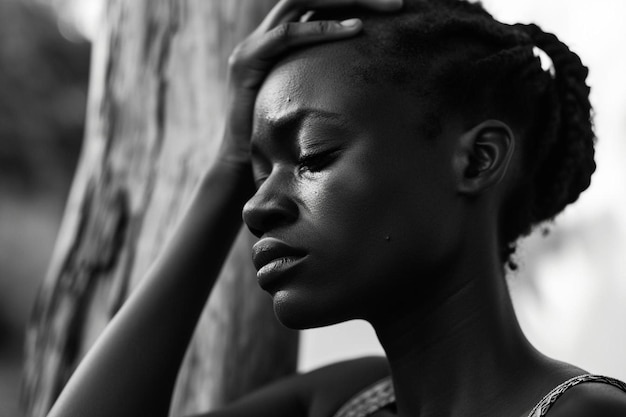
[{"x": 483, "y": 156}]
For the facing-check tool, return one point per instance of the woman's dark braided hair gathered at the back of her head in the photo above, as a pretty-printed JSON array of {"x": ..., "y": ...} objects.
[{"x": 456, "y": 56}]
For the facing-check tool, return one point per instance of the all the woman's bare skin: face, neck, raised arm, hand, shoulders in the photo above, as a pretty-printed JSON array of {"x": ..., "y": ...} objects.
[{"x": 358, "y": 217}]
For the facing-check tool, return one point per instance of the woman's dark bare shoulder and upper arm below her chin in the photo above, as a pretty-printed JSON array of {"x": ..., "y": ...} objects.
[{"x": 317, "y": 393}]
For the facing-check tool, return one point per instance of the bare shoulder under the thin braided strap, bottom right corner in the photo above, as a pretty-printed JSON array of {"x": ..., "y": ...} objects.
[{"x": 591, "y": 399}]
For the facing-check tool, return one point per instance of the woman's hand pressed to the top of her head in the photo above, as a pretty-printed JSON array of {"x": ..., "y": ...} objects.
[{"x": 280, "y": 32}]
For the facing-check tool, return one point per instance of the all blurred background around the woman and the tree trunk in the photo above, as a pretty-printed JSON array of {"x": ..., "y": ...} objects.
[{"x": 570, "y": 292}]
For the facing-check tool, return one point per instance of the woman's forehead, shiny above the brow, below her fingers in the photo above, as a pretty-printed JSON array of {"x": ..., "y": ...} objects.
[{"x": 326, "y": 79}]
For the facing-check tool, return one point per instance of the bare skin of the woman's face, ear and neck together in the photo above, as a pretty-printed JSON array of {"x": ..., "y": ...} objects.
[{"x": 395, "y": 229}]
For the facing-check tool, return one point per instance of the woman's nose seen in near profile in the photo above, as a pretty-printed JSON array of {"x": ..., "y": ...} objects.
[{"x": 271, "y": 207}]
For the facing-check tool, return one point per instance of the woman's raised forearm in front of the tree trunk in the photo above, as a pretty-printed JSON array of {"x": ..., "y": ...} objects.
[{"x": 132, "y": 369}]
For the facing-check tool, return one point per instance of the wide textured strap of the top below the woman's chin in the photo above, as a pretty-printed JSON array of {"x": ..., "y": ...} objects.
[{"x": 370, "y": 400}]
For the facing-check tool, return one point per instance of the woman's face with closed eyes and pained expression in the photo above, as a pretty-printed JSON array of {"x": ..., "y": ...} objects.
[{"x": 356, "y": 211}]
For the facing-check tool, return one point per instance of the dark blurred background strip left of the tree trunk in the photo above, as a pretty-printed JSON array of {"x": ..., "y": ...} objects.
[{"x": 44, "y": 69}]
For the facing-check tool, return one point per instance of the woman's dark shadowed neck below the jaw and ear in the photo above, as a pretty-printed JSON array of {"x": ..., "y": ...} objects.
[{"x": 463, "y": 355}]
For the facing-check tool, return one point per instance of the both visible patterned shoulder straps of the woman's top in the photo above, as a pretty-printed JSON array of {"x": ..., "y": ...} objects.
[{"x": 381, "y": 395}]
